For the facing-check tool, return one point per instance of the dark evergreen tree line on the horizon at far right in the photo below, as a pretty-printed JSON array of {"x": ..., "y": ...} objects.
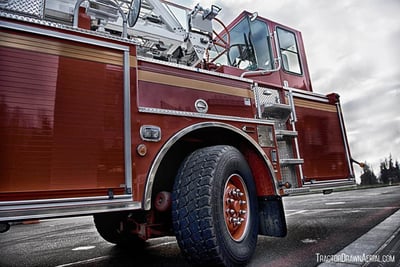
[{"x": 389, "y": 173}]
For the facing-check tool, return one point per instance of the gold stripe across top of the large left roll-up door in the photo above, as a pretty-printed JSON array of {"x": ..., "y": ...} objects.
[{"x": 60, "y": 49}]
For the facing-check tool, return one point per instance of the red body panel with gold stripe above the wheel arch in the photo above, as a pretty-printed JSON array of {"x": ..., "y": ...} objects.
[{"x": 178, "y": 89}]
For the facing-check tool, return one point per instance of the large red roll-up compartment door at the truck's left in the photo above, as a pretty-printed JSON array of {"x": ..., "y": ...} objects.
[{"x": 61, "y": 118}]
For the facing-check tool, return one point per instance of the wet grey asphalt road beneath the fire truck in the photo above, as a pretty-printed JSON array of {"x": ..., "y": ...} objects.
[{"x": 318, "y": 225}]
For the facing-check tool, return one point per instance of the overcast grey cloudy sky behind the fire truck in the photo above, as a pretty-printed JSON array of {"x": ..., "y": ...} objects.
[{"x": 353, "y": 48}]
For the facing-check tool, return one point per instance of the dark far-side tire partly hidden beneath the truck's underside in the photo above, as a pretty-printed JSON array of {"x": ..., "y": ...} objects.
[{"x": 113, "y": 228}]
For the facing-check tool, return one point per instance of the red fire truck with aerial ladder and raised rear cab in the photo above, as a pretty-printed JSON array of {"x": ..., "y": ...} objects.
[{"x": 145, "y": 116}]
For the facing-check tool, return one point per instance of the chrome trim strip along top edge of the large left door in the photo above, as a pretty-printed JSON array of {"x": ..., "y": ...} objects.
[{"x": 60, "y": 35}]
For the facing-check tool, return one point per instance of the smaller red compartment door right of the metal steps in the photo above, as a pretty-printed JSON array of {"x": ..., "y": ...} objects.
[{"x": 322, "y": 144}]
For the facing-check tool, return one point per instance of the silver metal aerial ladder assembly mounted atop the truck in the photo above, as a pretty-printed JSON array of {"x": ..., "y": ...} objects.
[{"x": 153, "y": 24}]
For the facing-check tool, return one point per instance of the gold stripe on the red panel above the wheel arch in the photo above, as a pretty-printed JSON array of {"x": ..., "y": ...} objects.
[{"x": 166, "y": 79}]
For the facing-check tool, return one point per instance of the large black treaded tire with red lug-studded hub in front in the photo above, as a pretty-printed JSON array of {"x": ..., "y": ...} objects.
[{"x": 200, "y": 216}]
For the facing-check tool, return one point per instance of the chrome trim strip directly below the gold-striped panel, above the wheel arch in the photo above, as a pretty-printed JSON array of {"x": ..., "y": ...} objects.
[{"x": 203, "y": 116}]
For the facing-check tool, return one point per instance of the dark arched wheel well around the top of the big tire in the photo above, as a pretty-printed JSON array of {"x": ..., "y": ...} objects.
[{"x": 211, "y": 136}]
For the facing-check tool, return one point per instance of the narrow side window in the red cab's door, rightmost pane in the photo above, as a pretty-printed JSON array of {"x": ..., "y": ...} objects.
[{"x": 289, "y": 51}]
